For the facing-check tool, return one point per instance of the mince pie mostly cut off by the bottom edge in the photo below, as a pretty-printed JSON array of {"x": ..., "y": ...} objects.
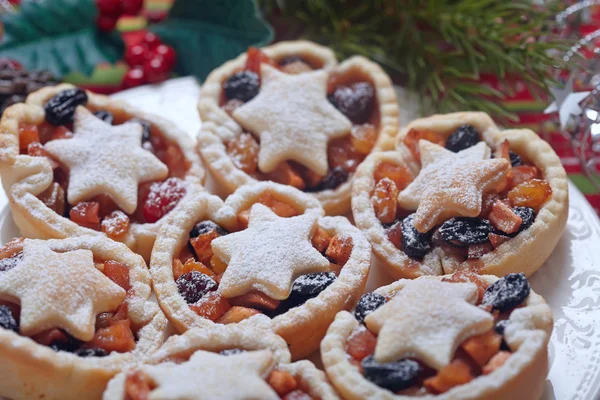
[{"x": 222, "y": 362}]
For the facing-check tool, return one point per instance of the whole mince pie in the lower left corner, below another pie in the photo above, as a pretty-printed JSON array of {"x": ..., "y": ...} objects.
[{"x": 73, "y": 313}]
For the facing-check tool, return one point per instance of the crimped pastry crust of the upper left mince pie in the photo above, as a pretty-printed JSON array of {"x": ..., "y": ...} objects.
[{"x": 24, "y": 177}]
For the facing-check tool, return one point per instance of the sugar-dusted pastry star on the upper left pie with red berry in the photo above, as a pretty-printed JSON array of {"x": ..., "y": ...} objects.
[{"x": 106, "y": 159}]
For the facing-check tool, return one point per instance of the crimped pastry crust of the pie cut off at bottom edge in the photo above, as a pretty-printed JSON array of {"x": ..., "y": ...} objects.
[{"x": 256, "y": 336}]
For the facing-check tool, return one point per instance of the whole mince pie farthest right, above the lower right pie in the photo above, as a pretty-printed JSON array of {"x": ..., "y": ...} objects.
[{"x": 460, "y": 194}]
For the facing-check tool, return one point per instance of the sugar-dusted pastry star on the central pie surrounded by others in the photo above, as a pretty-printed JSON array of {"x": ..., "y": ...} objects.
[{"x": 269, "y": 254}]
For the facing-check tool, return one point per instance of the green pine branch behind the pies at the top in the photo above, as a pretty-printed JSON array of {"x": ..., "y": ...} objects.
[{"x": 438, "y": 48}]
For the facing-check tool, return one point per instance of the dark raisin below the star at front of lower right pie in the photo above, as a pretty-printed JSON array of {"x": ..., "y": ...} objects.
[{"x": 393, "y": 376}]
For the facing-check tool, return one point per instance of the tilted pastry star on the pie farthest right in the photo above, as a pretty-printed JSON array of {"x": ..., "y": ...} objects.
[{"x": 451, "y": 184}]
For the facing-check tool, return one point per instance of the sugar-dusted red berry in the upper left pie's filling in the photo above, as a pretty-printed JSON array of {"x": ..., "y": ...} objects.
[{"x": 162, "y": 198}]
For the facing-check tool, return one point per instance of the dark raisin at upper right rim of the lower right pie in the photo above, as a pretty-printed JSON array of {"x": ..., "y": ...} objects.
[{"x": 507, "y": 293}]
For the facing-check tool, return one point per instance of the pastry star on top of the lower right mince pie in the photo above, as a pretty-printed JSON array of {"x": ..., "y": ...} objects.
[{"x": 427, "y": 320}]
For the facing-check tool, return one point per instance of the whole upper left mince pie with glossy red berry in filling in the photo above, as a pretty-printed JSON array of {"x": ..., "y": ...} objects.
[{"x": 75, "y": 163}]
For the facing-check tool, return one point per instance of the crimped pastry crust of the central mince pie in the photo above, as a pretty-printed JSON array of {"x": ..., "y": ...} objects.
[{"x": 302, "y": 327}]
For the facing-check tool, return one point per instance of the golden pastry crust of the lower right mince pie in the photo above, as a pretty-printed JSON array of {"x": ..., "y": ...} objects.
[{"x": 521, "y": 377}]
